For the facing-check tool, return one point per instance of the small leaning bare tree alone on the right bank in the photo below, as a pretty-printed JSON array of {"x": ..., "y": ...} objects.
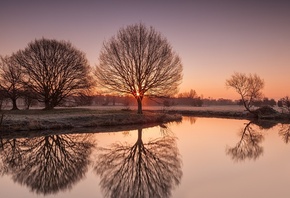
[{"x": 249, "y": 87}]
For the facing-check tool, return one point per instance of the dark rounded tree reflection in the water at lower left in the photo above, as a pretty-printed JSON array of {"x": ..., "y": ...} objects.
[{"x": 47, "y": 164}]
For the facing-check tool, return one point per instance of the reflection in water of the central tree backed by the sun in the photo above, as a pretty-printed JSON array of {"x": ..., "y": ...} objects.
[{"x": 141, "y": 170}]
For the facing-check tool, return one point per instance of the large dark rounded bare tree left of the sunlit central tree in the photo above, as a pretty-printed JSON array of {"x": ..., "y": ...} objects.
[{"x": 53, "y": 70}]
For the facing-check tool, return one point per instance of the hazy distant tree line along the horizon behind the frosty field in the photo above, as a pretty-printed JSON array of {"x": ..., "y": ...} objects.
[{"x": 180, "y": 100}]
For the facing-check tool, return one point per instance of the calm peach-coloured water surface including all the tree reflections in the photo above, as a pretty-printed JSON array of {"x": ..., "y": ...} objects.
[{"x": 199, "y": 157}]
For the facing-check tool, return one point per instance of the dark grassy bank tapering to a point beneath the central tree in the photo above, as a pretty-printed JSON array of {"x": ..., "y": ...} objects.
[{"x": 69, "y": 118}]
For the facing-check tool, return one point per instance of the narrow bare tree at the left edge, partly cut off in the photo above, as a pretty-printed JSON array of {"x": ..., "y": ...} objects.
[{"x": 10, "y": 80}]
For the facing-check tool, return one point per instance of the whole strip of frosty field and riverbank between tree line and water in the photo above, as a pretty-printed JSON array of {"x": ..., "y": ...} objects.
[{"x": 101, "y": 118}]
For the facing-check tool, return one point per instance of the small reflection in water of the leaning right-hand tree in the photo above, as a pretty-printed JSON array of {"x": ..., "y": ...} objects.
[{"x": 249, "y": 145}]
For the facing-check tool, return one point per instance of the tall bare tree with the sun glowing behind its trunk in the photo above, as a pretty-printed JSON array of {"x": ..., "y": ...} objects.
[{"x": 139, "y": 61}]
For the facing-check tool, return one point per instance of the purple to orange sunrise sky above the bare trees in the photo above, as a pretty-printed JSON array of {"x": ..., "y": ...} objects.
[{"x": 214, "y": 38}]
